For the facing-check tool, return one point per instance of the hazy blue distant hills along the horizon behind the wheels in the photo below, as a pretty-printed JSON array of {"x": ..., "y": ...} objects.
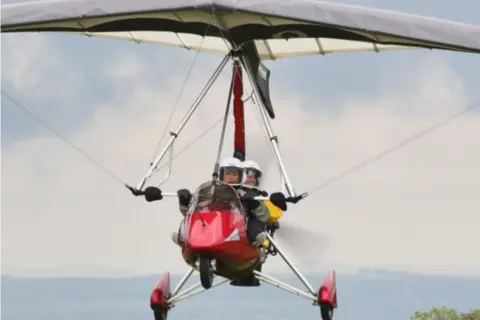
[{"x": 367, "y": 295}]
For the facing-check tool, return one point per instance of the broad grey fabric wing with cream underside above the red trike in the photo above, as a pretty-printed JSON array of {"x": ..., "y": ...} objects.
[{"x": 279, "y": 28}]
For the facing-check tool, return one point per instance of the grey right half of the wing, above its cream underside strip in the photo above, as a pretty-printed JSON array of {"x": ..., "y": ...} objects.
[{"x": 347, "y": 22}]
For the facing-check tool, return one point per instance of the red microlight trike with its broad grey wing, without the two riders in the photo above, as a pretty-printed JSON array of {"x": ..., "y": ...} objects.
[{"x": 246, "y": 32}]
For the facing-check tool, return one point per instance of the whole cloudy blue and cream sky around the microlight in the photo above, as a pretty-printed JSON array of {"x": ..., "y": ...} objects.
[{"x": 415, "y": 210}]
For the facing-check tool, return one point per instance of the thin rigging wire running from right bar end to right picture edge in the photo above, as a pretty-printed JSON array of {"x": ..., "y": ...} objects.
[{"x": 394, "y": 148}]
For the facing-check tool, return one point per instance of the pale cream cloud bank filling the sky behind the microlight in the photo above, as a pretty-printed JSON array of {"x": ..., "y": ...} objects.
[{"x": 415, "y": 208}]
